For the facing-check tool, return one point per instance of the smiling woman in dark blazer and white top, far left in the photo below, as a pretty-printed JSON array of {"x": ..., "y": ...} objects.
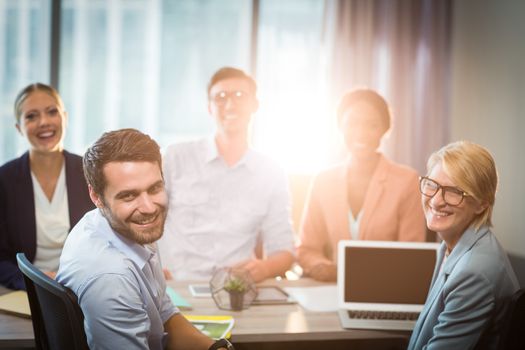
[{"x": 43, "y": 193}]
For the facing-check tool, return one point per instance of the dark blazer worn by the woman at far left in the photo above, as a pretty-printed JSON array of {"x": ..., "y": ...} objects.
[{"x": 17, "y": 211}]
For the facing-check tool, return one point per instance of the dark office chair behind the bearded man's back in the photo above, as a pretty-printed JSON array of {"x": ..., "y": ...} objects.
[{"x": 57, "y": 319}]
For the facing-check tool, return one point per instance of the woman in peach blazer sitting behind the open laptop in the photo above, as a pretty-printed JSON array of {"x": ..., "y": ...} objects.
[{"x": 368, "y": 197}]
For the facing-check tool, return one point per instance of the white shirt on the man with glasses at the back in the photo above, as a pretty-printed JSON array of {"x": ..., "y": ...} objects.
[{"x": 217, "y": 213}]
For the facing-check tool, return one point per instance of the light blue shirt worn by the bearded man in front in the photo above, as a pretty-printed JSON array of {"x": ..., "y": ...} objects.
[{"x": 119, "y": 285}]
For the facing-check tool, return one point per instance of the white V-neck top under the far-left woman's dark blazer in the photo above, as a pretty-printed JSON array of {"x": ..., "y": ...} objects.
[{"x": 52, "y": 223}]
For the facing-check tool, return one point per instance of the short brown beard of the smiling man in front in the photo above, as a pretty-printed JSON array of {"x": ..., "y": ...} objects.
[{"x": 123, "y": 227}]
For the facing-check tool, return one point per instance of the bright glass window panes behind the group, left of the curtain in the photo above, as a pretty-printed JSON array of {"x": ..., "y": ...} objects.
[{"x": 145, "y": 64}]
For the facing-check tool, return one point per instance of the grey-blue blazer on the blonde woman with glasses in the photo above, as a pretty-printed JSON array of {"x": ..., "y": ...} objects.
[{"x": 468, "y": 297}]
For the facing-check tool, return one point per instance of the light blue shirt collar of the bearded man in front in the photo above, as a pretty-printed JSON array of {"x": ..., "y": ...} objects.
[{"x": 139, "y": 254}]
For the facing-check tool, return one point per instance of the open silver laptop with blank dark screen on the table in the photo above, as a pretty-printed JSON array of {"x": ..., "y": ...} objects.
[{"x": 383, "y": 285}]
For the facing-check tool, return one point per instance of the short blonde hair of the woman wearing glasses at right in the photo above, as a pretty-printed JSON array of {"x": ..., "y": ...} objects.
[{"x": 473, "y": 169}]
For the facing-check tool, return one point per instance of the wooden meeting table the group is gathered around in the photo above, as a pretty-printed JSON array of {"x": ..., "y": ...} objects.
[{"x": 259, "y": 327}]
